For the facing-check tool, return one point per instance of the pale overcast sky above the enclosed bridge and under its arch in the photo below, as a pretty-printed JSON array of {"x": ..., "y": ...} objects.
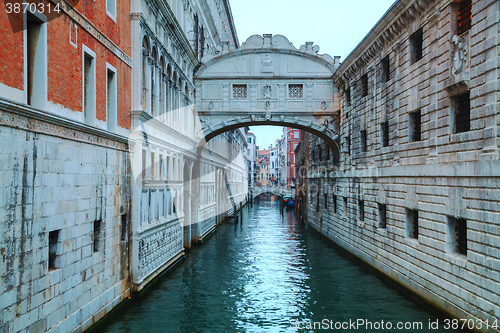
[{"x": 337, "y": 26}]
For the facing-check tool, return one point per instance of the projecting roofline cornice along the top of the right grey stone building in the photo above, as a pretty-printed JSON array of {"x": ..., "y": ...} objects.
[{"x": 385, "y": 32}]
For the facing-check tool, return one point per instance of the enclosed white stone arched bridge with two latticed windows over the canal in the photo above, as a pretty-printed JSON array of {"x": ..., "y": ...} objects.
[{"x": 268, "y": 81}]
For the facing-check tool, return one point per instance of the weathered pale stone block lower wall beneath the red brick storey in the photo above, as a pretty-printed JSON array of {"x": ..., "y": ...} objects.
[{"x": 56, "y": 177}]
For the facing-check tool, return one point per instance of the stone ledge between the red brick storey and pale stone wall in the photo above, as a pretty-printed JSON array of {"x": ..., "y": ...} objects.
[{"x": 26, "y": 118}]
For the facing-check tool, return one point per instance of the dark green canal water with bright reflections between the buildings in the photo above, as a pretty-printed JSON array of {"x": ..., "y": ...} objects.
[{"x": 269, "y": 273}]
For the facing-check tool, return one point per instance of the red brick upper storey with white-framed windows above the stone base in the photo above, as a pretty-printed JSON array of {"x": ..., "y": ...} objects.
[{"x": 69, "y": 61}]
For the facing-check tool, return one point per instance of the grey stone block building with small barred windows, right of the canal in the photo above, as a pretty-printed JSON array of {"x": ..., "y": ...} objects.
[{"x": 414, "y": 190}]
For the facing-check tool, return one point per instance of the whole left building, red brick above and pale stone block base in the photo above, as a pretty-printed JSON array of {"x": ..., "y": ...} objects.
[{"x": 65, "y": 170}]
